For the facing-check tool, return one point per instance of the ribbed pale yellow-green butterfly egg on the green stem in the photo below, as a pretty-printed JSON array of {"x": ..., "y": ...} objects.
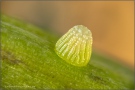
[{"x": 75, "y": 47}]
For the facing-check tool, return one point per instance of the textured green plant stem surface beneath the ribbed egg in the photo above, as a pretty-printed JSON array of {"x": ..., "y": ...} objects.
[{"x": 29, "y": 61}]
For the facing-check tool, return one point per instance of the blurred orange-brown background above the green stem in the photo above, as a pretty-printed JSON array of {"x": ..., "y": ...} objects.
[{"x": 111, "y": 22}]
